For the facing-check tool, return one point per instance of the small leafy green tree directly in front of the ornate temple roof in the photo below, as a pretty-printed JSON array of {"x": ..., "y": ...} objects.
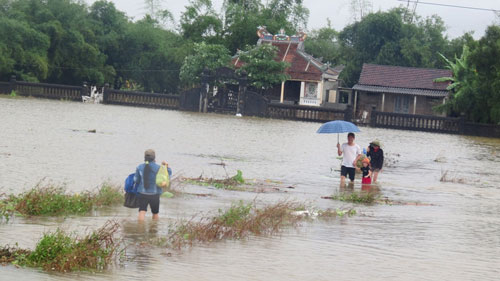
[{"x": 262, "y": 70}]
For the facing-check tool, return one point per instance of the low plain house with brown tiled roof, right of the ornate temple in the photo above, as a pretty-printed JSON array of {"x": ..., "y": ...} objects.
[{"x": 399, "y": 89}]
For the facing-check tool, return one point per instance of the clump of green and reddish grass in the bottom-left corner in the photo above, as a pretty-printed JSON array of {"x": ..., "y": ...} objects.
[{"x": 63, "y": 252}]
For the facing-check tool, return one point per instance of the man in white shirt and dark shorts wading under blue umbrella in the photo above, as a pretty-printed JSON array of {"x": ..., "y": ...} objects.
[{"x": 351, "y": 152}]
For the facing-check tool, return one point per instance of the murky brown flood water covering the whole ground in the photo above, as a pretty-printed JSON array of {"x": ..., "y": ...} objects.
[{"x": 454, "y": 234}]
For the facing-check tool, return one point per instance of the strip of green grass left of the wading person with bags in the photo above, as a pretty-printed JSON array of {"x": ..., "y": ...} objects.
[{"x": 53, "y": 200}]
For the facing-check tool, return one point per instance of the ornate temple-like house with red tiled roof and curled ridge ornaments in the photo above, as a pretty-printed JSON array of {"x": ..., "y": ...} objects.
[{"x": 311, "y": 82}]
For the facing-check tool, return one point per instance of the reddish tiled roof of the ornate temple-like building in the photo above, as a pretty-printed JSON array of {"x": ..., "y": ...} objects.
[{"x": 302, "y": 65}]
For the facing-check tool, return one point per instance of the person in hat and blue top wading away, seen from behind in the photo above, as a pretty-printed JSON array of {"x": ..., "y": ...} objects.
[{"x": 148, "y": 193}]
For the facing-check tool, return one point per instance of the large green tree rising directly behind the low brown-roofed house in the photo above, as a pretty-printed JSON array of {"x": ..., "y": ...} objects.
[{"x": 384, "y": 38}]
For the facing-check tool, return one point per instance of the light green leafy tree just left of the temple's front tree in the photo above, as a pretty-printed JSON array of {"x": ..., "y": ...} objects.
[{"x": 205, "y": 56}]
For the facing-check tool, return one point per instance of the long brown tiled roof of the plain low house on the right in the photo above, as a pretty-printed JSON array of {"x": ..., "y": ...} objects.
[{"x": 403, "y": 77}]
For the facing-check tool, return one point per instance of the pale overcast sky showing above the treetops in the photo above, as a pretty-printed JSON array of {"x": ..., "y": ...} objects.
[{"x": 457, "y": 20}]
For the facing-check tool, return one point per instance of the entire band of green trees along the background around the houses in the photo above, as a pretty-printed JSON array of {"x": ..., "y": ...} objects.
[{"x": 68, "y": 42}]
